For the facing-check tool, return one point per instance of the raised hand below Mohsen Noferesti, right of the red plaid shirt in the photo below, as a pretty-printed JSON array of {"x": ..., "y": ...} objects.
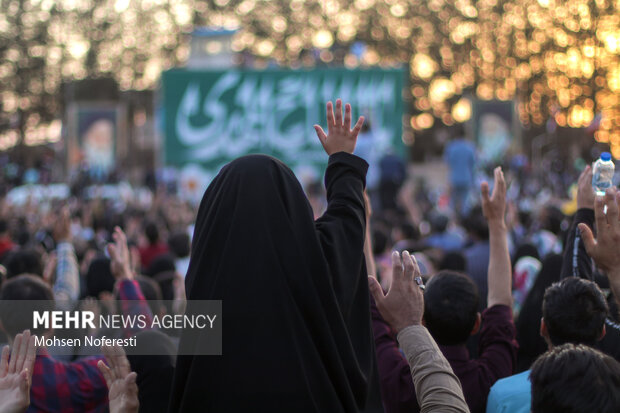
[{"x": 121, "y": 381}]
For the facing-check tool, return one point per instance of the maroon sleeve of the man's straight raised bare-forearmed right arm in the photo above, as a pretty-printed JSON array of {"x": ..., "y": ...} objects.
[{"x": 498, "y": 344}]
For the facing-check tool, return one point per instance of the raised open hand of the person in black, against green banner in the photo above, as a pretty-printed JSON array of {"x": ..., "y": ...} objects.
[{"x": 339, "y": 137}]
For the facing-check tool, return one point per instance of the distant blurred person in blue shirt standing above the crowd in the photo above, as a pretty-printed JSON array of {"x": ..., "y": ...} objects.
[{"x": 460, "y": 155}]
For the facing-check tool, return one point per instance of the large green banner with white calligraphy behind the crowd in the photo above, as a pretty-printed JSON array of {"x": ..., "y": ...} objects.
[{"x": 212, "y": 117}]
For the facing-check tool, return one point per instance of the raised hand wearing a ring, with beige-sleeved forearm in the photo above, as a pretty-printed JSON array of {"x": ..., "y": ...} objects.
[{"x": 436, "y": 386}]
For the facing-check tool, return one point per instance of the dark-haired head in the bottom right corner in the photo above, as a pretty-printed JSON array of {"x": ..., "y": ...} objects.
[{"x": 575, "y": 379}]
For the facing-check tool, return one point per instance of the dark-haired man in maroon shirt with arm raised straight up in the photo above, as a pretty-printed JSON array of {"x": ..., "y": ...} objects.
[{"x": 451, "y": 315}]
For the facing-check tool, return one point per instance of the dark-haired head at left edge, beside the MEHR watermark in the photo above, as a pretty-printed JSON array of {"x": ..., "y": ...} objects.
[{"x": 37, "y": 296}]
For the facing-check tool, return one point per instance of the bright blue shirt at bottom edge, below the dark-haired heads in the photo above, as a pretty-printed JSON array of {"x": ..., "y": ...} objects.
[{"x": 511, "y": 395}]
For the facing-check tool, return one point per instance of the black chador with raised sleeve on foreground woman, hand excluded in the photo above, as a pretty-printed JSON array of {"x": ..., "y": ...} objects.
[{"x": 296, "y": 320}]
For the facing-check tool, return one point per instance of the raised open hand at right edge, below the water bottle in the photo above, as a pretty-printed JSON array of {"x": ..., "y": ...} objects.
[{"x": 605, "y": 249}]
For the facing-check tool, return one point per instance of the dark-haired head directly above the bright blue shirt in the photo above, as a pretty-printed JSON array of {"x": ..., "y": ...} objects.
[{"x": 574, "y": 311}]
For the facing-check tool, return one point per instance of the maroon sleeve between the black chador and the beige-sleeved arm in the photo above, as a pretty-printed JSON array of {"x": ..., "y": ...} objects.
[{"x": 395, "y": 380}]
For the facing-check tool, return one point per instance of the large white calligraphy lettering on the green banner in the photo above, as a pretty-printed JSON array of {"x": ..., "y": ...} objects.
[{"x": 274, "y": 113}]
